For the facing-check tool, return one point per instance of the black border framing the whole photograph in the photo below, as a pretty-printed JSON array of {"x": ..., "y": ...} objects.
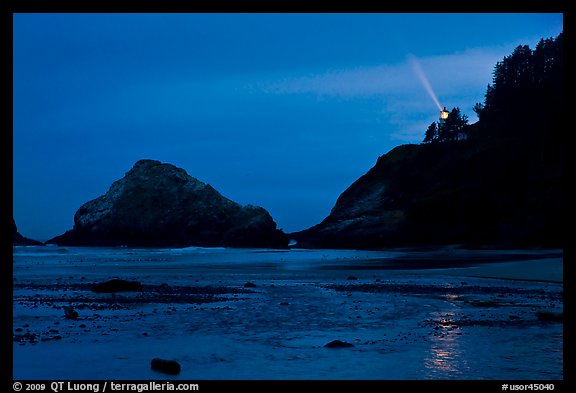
[{"x": 9, "y": 7}]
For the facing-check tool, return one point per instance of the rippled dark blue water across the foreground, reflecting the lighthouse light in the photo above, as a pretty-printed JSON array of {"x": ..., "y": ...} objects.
[{"x": 267, "y": 314}]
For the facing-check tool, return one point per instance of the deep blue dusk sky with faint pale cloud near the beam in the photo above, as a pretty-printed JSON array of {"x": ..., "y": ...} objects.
[{"x": 283, "y": 111}]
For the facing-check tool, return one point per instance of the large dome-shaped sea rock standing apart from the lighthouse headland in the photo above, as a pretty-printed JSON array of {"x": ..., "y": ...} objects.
[{"x": 160, "y": 205}]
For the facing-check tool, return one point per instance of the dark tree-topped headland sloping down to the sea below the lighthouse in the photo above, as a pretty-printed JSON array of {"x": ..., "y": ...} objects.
[{"x": 502, "y": 186}]
